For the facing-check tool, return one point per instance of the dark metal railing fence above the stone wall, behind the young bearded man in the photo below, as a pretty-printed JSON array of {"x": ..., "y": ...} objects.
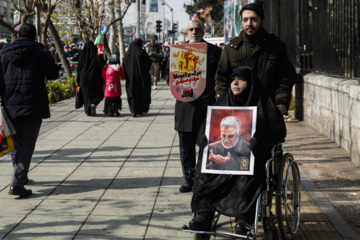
[{"x": 321, "y": 35}]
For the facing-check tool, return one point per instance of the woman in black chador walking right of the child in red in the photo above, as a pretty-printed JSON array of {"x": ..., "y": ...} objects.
[{"x": 137, "y": 65}]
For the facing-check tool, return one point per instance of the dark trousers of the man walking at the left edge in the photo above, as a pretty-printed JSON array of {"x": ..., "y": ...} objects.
[{"x": 25, "y": 138}]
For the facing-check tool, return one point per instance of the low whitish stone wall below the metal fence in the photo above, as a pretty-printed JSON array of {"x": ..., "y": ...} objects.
[{"x": 332, "y": 107}]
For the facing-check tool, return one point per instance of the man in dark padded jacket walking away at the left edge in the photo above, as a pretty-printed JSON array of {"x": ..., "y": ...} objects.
[{"x": 24, "y": 65}]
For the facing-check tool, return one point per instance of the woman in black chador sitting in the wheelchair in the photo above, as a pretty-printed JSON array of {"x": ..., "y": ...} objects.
[{"x": 235, "y": 195}]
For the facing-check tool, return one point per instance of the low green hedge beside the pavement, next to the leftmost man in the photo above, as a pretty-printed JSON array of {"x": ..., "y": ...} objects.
[{"x": 61, "y": 89}]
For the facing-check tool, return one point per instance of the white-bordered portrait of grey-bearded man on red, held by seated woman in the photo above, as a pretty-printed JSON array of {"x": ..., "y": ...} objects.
[{"x": 229, "y": 130}]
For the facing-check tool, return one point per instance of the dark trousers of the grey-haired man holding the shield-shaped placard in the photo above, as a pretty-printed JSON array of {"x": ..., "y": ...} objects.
[{"x": 187, "y": 142}]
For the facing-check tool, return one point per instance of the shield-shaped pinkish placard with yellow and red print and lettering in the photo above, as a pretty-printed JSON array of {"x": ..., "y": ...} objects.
[{"x": 188, "y": 70}]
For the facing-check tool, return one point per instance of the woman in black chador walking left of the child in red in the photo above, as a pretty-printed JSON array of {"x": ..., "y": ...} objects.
[{"x": 89, "y": 77}]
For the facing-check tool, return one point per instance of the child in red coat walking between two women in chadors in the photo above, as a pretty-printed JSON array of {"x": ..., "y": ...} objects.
[{"x": 112, "y": 74}]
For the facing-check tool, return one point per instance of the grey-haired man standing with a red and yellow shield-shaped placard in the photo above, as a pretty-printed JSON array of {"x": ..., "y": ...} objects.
[{"x": 192, "y": 72}]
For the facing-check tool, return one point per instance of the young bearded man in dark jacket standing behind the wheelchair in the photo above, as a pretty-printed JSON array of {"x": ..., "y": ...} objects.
[{"x": 263, "y": 52}]
